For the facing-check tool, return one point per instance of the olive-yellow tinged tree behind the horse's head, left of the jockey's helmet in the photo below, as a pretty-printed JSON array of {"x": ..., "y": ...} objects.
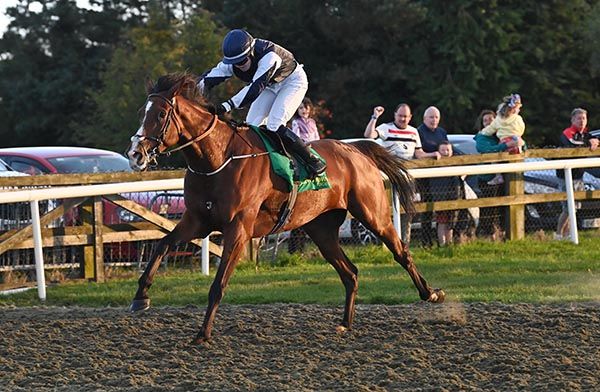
[{"x": 161, "y": 46}]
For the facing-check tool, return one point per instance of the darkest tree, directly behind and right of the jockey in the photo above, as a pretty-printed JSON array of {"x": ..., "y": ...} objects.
[{"x": 353, "y": 50}]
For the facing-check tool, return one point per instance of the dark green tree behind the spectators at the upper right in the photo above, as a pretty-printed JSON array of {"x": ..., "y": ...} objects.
[{"x": 470, "y": 53}]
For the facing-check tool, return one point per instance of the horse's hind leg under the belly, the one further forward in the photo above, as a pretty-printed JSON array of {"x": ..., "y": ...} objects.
[{"x": 324, "y": 231}]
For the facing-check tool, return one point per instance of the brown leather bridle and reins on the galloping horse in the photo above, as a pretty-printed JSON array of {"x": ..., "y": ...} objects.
[{"x": 155, "y": 152}]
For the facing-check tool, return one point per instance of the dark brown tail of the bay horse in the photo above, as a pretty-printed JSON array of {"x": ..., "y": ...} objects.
[{"x": 394, "y": 169}]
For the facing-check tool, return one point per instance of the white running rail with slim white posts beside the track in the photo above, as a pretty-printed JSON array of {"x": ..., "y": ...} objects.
[{"x": 33, "y": 196}]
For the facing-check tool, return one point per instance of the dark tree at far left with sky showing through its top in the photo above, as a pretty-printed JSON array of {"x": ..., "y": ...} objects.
[{"x": 49, "y": 59}]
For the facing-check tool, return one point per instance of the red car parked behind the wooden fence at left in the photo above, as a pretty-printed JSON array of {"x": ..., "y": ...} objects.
[{"x": 48, "y": 160}]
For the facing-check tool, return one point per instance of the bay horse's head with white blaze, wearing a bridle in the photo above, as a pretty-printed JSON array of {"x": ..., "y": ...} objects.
[{"x": 161, "y": 126}]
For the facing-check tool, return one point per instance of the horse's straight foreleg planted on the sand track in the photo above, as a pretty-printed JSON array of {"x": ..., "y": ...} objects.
[{"x": 233, "y": 244}]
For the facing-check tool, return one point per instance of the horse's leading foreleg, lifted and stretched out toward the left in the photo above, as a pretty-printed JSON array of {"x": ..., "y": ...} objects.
[{"x": 183, "y": 232}]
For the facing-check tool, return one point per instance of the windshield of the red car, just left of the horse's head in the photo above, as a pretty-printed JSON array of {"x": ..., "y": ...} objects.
[{"x": 90, "y": 164}]
